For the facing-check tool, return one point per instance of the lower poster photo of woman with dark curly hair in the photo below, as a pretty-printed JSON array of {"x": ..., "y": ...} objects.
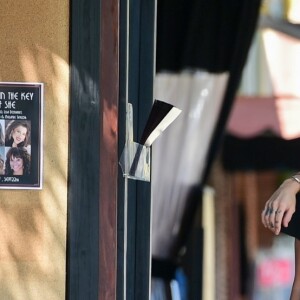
[{"x": 17, "y": 162}]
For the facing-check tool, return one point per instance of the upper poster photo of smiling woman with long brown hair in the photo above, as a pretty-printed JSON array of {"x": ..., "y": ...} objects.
[{"x": 17, "y": 134}]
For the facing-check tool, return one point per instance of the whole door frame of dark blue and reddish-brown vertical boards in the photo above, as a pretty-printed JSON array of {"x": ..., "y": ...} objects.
[{"x": 99, "y": 263}]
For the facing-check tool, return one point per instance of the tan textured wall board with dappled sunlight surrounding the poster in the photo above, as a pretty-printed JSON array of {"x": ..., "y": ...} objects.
[{"x": 34, "y": 47}]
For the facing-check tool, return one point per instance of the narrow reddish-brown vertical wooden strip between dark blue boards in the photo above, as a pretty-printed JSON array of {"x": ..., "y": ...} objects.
[{"x": 109, "y": 86}]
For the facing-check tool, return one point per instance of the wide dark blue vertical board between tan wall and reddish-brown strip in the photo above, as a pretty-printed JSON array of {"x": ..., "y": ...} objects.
[{"x": 83, "y": 186}]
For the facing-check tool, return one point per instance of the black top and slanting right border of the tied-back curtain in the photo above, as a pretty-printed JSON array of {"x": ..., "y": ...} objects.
[{"x": 214, "y": 36}]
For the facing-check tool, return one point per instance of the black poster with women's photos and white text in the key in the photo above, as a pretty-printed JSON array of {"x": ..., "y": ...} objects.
[{"x": 21, "y": 133}]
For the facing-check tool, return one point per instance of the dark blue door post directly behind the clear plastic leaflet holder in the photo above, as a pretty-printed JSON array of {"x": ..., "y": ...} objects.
[{"x": 142, "y": 24}]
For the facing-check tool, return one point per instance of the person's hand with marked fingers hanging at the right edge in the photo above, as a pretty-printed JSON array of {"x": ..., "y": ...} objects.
[{"x": 280, "y": 207}]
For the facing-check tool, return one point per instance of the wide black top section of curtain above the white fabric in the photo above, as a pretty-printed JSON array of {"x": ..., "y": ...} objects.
[{"x": 200, "y": 34}]
